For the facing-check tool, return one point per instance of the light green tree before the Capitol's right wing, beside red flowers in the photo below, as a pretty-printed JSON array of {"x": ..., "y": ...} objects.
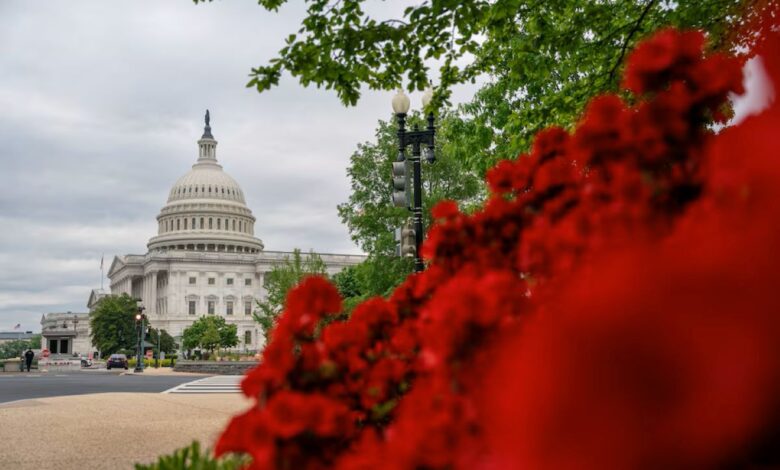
[{"x": 279, "y": 280}]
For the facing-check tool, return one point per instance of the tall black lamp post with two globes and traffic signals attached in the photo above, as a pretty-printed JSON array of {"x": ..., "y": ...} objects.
[{"x": 417, "y": 139}]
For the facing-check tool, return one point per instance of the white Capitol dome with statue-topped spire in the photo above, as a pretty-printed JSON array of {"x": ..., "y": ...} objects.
[{"x": 206, "y": 209}]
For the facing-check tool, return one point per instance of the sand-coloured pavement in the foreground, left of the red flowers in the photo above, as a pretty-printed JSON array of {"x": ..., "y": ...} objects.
[{"x": 109, "y": 430}]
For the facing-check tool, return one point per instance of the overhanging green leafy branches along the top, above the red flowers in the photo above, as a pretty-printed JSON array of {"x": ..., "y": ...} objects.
[{"x": 542, "y": 60}]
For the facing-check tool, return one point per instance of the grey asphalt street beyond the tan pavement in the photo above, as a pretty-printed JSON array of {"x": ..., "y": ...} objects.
[{"x": 42, "y": 385}]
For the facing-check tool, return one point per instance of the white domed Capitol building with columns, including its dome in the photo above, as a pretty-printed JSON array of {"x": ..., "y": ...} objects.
[{"x": 204, "y": 260}]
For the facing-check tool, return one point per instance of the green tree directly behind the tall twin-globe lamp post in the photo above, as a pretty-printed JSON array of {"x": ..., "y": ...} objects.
[{"x": 372, "y": 218}]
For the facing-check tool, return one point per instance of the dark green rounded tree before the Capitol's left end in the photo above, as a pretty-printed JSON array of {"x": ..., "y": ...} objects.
[{"x": 112, "y": 324}]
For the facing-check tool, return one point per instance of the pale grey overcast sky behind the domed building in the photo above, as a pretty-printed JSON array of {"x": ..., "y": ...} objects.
[{"x": 101, "y": 105}]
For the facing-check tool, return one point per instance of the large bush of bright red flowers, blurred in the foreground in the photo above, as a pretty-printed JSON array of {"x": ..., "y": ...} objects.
[{"x": 613, "y": 305}]
